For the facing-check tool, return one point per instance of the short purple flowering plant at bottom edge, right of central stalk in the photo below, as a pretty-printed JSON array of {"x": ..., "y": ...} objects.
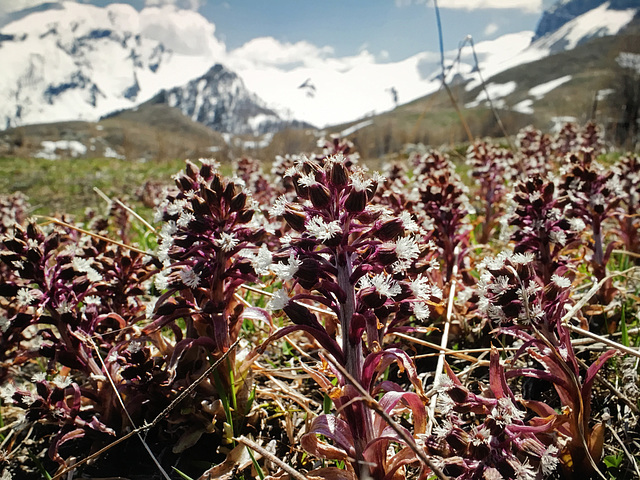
[{"x": 500, "y": 442}]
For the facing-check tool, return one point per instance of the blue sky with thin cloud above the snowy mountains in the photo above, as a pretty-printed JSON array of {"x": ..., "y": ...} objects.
[{"x": 390, "y": 29}]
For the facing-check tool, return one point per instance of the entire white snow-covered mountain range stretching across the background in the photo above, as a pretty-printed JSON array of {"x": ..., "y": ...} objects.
[{"x": 74, "y": 61}]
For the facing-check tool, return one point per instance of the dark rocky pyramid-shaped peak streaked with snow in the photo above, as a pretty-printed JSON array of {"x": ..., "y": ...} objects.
[{"x": 220, "y": 100}]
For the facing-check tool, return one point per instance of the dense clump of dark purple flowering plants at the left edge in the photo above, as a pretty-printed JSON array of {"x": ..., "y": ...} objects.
[{"x": 74, "y": 300}]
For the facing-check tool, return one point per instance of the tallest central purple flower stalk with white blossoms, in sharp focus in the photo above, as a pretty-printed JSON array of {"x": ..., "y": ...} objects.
[{"x": 351, "y": 257}]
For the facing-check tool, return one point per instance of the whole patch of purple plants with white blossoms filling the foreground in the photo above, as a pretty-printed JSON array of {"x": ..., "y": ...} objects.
[{"x": 325, "y": 287}]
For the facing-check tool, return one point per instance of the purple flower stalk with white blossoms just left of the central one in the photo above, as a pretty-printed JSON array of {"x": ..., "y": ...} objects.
[{"x": 209, "y": 247}]
